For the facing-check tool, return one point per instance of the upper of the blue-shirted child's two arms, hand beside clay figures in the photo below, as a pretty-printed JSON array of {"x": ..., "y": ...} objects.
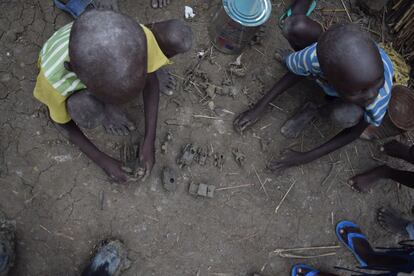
[{"x": 249, "y": 117}]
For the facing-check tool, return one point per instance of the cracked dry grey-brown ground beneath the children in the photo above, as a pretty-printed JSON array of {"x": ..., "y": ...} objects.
[{"x": 63, "y": 204}]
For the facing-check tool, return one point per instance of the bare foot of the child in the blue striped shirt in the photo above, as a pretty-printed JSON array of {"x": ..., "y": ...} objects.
[{"x": 294, "y": 126}]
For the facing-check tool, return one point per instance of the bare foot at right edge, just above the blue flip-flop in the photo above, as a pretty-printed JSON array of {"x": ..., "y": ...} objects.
[{"x": 392, "y": 221}]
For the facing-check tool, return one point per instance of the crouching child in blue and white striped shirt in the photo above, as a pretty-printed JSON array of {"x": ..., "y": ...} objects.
[{"x": 355, "y": 74}]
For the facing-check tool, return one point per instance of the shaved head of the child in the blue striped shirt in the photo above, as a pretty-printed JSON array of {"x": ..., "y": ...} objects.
[{"x": 351, "y": 63}]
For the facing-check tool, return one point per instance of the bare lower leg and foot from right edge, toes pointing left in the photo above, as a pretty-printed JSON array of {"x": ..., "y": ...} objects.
[{"x": 364, "y": 182}]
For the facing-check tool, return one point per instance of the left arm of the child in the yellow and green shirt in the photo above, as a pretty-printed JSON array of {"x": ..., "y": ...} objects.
[{"x": 112, "y": 167}]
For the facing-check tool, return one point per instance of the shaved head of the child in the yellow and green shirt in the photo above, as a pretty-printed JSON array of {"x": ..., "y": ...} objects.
[{"x": 108, "y": 52}]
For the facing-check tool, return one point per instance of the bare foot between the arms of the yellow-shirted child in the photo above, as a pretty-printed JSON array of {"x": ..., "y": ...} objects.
[{"x": 116, "y": 122}]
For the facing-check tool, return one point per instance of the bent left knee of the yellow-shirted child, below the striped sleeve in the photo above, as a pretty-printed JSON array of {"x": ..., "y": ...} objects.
[{"x": 85, "y": 110}]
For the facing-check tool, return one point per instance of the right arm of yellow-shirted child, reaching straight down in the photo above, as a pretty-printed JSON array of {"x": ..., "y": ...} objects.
[{"x": 151, "y": 97}]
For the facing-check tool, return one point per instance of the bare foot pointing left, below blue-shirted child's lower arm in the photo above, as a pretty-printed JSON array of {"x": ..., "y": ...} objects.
[{"x": 364, "y": 182}]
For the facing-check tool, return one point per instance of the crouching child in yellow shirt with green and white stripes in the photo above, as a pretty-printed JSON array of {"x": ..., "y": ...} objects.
[{"x": 104, "y": 59}]
